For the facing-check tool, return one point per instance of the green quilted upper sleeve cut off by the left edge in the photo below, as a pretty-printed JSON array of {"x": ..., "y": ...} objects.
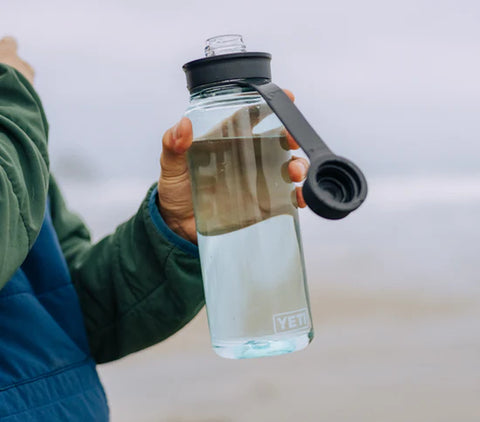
[{"x": 23, "y": 169}]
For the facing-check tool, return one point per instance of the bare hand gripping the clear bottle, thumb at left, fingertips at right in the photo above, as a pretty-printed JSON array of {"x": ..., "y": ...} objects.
[{"x": 174, "y": 189}]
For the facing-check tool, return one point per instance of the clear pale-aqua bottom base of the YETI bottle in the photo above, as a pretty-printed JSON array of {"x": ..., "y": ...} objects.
[{"x": 262, "y": 347}]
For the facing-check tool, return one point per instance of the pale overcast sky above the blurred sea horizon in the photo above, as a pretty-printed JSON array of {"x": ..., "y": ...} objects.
[{"x": 392, "y": 85}]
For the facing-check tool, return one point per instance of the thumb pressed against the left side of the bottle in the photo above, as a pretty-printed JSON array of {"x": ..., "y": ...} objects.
[{"x": 175, "y": 144}]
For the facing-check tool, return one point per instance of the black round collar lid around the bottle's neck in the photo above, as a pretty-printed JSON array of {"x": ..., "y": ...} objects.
[{"x": 227, "y": 67}]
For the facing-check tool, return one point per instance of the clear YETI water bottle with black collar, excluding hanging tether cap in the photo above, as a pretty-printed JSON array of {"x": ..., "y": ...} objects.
[{"x": 245, "y": 210}]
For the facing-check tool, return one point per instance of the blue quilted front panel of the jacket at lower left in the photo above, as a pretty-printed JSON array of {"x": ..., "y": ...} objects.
[{"x": 46, "y": 371}]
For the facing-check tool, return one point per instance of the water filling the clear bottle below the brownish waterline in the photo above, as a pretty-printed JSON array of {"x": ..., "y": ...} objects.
[{"x": 249, "y": 240}]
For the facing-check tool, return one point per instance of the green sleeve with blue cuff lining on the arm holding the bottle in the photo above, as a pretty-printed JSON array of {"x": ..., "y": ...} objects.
[{"x": 137, "y": 286}]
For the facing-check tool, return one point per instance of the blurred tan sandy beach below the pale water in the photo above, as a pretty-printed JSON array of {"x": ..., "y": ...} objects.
[{"x": 375, "y": 357}]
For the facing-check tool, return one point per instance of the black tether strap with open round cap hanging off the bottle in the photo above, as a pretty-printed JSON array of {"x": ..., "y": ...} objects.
[{"x": 334, "y": 186}]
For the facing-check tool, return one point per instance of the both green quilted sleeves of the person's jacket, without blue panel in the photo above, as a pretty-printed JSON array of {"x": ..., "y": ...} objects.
[{"x": 136, "y": 286}]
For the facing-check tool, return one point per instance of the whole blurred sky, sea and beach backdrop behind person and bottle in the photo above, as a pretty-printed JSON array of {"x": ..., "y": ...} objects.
[{"x": 395, "y": 287}]
